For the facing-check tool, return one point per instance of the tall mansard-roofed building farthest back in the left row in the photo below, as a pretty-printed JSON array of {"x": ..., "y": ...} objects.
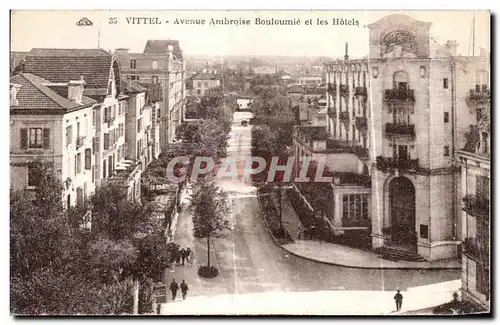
[{"x": 160, "y": 63}]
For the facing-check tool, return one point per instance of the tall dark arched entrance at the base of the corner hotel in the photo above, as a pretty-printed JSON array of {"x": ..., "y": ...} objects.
[{"x": 402, "y": 213}]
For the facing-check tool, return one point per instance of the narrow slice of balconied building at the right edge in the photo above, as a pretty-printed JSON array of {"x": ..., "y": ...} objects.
[{"x": 474, "y": 159}]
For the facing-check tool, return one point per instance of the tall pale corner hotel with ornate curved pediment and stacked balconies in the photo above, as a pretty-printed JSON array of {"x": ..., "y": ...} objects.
[{"x": 399, "y": 116}]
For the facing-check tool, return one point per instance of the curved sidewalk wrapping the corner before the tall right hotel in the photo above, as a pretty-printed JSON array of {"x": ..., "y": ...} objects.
[{"x": 342, "y": 255}]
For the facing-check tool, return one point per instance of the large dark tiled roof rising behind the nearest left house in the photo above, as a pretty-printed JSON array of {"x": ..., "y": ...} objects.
[{"x": 62, "y": 65}]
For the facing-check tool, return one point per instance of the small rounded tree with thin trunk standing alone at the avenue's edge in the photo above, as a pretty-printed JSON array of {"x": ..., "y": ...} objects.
[{"x": 209, "y": 205}]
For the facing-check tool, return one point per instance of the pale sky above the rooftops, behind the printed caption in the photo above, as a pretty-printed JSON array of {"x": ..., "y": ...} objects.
[{"x": 58, "y": 29}]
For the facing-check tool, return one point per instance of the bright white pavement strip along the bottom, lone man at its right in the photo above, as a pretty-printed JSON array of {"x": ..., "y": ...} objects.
[{"x": 344, "y": 302}]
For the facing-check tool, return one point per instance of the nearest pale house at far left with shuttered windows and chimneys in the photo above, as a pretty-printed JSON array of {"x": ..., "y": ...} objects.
[{"x": 54, "y": 130}]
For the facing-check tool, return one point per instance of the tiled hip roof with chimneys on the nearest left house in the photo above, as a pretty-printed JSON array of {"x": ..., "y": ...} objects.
[{"x": 34, "y": 94}]
